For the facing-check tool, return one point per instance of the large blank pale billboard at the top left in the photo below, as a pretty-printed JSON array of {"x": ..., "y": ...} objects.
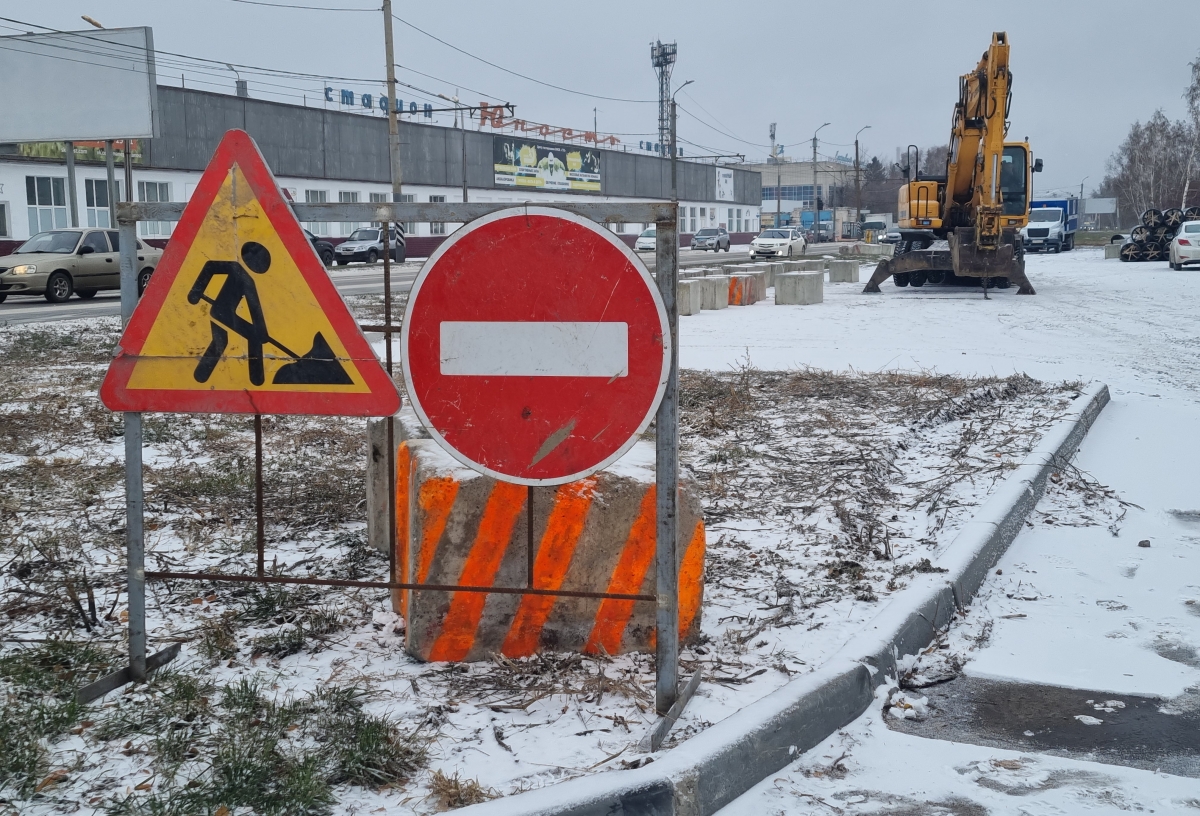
[{"x": 79, "y": 86}]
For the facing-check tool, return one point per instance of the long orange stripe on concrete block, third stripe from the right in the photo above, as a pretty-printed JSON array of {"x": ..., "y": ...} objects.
[{"x": 555, "y": 553}]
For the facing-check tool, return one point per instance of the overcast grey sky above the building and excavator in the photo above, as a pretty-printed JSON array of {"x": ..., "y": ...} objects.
[{"x": 1083, "y": 71}]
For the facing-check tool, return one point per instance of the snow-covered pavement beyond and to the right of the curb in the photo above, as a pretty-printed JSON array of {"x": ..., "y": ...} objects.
[{"x": 1082, "y": 608}]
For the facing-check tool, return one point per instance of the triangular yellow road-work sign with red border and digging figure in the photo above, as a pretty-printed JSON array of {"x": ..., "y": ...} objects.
[{"x": 241, "y": 316}]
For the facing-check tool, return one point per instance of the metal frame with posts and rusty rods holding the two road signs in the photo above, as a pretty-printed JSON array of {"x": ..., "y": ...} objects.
[{"x": 663, "y": 215}]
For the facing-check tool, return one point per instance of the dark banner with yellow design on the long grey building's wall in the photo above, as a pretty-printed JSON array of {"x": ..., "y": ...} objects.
[{"x": 520, "y": 163}]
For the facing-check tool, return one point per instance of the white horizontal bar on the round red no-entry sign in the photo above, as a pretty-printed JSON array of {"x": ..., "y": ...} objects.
[{"x": 502, "y": 349}]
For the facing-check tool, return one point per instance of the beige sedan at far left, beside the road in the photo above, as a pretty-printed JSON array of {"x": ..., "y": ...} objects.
[{"x": 59, "y": 263}]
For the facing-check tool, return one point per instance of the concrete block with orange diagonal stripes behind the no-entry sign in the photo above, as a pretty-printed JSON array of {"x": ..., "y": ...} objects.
[{"x": 598, "y": 535}]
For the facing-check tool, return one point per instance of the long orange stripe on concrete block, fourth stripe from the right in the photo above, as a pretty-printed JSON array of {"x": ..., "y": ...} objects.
[{"x": 483, "y": 562}]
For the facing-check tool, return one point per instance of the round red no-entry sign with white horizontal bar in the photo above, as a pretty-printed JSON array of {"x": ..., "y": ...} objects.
[{"x": 536, "y": 346}]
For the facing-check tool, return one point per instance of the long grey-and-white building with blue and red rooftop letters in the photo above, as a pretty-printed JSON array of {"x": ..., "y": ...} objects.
[{"x": 320, "y": 155}]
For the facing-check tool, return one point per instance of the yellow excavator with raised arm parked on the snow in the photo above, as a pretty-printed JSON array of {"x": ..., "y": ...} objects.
[{"x": 981, "y": 203}]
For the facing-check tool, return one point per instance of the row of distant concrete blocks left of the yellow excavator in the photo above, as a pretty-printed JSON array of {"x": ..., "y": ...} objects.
[{"x": 796, "y": 283}]
